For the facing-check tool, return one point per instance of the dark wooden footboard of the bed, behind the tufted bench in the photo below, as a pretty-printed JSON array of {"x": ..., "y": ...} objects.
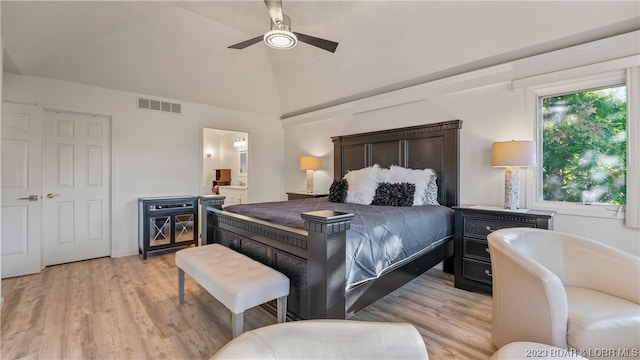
[{"x": 312, "y": 259}]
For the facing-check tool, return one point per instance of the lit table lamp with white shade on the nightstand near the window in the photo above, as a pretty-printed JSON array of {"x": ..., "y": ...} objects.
[{"x": 512, "y": 155}]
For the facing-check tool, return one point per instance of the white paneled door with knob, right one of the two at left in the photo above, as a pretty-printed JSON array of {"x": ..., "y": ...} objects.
[{"x": 76, "y": 189}]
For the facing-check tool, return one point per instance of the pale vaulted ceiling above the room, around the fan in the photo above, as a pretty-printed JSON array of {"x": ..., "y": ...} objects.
[{"x": 178, "y": 49}]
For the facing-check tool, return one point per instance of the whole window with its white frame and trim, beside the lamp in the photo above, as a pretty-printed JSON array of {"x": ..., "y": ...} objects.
[{"x": 587, "y": 125}]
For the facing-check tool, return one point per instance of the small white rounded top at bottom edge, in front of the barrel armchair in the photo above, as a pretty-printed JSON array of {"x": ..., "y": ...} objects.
[{"x": 531, "y": 350}]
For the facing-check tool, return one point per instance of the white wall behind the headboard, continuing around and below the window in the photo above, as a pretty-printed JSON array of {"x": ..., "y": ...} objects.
[{"x": 491, "y": 111}]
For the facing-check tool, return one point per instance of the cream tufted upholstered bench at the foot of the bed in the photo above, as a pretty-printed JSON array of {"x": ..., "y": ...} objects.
[{"x": 235, "y": 280}]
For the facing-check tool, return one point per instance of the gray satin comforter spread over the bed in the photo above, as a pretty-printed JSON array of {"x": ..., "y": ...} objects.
[{"x": 380, "y": 236}]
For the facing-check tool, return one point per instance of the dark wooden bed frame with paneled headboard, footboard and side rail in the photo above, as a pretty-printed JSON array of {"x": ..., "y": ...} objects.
[{"x": 312, "y": 250}]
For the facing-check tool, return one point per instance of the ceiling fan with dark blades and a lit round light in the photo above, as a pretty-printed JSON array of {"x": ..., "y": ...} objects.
[{"x": 281, "y": 36}]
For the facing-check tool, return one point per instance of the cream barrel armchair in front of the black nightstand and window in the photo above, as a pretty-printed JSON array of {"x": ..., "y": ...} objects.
[{"x": 566, "y": 291}]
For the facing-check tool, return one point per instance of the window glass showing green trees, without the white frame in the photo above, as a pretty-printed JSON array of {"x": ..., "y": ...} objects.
[{"x": 584, "y": 146}]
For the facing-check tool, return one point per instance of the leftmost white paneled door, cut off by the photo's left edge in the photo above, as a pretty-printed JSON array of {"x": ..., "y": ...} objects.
[{"x": 21, "y": 187}]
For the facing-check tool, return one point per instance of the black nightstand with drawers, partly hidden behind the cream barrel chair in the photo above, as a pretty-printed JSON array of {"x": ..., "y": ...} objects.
[{"x": 472, "y": 262}]
